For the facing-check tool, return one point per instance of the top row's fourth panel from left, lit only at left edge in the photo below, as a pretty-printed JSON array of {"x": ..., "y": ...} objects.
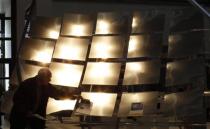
[{"x": 147, "y": 21}]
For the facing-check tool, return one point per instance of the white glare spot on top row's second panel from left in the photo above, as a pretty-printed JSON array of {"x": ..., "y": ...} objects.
[{"x": 77, "y": 30}]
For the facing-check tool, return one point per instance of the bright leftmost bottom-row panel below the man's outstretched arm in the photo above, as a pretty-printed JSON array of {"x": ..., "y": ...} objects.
[{"x": 59, "y": 105}]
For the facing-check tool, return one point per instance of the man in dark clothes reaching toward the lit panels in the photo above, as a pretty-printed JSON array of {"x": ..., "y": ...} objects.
[{"x": 31, "y": 98}]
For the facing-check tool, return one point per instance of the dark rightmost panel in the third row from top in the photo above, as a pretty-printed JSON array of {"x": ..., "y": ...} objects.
[{"x": 182, "y": 72}]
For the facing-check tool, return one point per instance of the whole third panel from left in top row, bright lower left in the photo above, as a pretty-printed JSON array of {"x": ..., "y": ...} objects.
[{"x": 111, "y": 23}]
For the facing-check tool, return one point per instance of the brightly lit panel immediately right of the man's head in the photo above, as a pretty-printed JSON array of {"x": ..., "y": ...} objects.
[{"x": 66, "y": 74}]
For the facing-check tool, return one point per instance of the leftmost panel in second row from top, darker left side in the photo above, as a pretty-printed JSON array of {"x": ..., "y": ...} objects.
[{"x": 37, "y": 50}]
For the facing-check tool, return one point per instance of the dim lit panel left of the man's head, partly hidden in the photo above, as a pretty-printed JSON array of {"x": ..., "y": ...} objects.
[{"x": 28, "y": 70}]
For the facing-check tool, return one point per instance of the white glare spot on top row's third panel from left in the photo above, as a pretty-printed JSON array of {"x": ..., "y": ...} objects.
[{"x": 103, "y": 27}]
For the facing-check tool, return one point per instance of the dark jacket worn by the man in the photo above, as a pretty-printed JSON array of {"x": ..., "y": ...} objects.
[{"x": 31, "y": 97}]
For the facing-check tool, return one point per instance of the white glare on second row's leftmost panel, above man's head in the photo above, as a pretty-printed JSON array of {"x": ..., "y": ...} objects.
[{"x": 43, "y": 56}]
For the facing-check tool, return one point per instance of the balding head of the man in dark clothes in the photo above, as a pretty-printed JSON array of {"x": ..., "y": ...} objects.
[{"x": 44, "y": 76}]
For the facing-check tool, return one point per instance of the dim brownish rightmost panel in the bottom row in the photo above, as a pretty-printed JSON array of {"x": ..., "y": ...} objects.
[{"x": 184, "y": 103}]
